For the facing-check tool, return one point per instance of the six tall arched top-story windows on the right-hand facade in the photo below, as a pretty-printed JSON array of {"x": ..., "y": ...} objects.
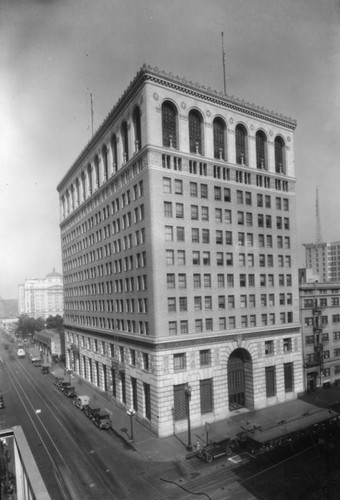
[{"x": 170, "y": 138}]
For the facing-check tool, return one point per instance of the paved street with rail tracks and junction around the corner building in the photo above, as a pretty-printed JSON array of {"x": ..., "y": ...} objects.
[{"x": 77, "y": 460}]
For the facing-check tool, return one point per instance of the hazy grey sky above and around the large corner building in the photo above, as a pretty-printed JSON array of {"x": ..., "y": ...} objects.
[{"x": 280, "y": 54}]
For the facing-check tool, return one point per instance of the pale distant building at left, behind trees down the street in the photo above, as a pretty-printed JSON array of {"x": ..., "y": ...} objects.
[{"x": 40, "y": 298}]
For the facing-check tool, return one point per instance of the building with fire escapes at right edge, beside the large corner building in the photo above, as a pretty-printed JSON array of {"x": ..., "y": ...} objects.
[{"x": 320, "y": 319}]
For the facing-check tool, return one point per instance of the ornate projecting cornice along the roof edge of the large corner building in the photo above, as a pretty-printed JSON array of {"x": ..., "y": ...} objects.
[{"x": 154, "y": 74}]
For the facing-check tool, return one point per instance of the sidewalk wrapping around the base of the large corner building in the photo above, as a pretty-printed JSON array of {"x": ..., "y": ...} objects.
[{"x": 173, "y": 448}]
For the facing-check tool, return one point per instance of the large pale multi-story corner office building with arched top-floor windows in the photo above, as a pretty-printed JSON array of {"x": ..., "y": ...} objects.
[{"x": 179, "y": 255}]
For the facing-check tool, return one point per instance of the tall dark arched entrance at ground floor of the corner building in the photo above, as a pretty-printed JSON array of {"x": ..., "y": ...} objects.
[{"x": 240, "y": 380}]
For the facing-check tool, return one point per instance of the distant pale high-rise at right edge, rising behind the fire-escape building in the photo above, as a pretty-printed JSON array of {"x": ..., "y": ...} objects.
[{"x": 324, "y": 260}]
